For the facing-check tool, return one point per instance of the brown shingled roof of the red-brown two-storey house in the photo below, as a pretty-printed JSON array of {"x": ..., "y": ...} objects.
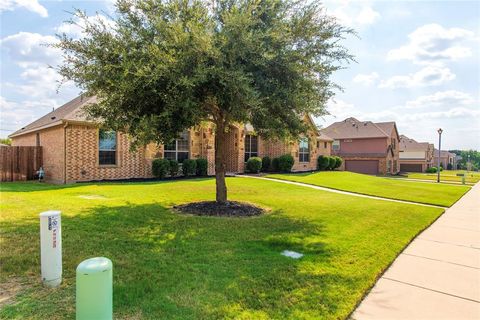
[{"x": 352, "y": 128}]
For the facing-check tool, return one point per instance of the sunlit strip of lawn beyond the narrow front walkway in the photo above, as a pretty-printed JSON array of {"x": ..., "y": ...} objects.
[{"x": 430, "y": 193}]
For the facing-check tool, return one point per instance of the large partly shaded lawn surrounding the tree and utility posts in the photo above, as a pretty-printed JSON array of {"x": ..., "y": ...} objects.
[{"x": 172, "y": 266}]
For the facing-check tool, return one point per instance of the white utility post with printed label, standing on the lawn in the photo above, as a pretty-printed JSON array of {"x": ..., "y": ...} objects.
[{"x": 51, "y": 247}]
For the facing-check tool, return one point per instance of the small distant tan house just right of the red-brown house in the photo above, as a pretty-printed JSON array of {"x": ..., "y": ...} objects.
[{"x": 415, "y": 156}]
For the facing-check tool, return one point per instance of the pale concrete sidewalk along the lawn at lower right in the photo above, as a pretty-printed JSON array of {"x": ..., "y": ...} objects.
[{"x": 438, "y": 275}]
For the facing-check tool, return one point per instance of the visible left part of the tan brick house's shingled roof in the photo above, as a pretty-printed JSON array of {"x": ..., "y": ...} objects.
[{"x": 71, "y": 110}]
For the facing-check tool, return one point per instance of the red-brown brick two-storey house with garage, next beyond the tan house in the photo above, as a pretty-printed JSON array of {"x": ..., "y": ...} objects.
[{"x": 364, "y": 146}]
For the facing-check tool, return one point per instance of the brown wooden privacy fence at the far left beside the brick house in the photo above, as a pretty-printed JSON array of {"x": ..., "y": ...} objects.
[{"x": 19, "y": 163}]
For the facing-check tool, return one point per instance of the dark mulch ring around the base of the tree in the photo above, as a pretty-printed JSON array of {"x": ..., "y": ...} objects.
[{"x": 226, "y": 209}]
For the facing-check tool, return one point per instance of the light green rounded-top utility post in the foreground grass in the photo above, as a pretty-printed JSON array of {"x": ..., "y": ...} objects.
[{"x": 94, "y": 294}]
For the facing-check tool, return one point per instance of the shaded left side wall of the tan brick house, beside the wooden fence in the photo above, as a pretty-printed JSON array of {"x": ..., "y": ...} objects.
[{"x": 52, "y": 142}]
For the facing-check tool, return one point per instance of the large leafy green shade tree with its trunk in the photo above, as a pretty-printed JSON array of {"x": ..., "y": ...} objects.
[{"x": 162, "y": 66}]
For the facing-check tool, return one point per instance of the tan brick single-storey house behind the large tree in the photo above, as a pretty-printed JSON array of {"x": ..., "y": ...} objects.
[{"x": 76, "y": 149}]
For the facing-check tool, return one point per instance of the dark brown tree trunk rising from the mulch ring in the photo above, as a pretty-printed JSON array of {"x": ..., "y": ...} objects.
[{"x": 220, "y": 163}]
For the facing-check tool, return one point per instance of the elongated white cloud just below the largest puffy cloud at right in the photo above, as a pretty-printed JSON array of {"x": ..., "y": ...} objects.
[{"x": 428, "y": 76}]
